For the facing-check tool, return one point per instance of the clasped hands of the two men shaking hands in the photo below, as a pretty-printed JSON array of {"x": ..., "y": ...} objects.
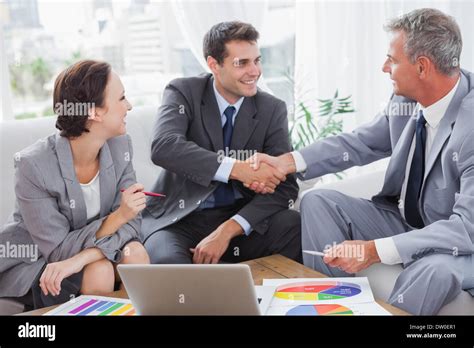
[{"x": 262, "y": 173}]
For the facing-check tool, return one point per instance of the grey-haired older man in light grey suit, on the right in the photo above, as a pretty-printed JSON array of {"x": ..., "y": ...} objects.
[{"x": 424, "y": 216}]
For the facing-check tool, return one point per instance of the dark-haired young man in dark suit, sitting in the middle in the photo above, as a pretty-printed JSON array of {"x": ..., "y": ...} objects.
[{"x": 207, "y": 127}]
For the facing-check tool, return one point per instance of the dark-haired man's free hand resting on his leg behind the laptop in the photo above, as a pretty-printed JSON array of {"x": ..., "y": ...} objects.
[{"x": 211, "y": 248}]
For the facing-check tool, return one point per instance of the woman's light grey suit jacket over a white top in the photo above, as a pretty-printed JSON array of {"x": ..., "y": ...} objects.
[{"x": 50, "y": 213}]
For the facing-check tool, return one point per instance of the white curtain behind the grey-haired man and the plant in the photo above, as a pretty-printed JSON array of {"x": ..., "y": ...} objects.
[{"x": 342, "y": 45}]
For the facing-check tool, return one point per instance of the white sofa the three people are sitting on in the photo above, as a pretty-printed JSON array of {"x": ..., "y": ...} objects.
[{"x": 16, "y": 135}]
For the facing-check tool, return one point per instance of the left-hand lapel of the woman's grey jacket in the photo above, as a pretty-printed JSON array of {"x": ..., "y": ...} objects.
[{"x": 73, "y": 189}]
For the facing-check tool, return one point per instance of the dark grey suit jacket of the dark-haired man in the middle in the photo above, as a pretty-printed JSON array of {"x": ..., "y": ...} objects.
[{"x": 186, "y": 138}]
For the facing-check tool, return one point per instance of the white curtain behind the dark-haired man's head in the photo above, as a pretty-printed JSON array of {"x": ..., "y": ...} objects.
[{"x": 195, "y": 18}]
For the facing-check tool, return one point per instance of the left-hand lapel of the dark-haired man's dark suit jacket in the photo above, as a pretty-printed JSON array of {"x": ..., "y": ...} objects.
[{"x": 211, "y": 117}]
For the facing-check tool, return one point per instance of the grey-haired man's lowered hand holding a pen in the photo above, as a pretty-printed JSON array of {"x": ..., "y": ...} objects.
[{"x": 352, "y": 256}]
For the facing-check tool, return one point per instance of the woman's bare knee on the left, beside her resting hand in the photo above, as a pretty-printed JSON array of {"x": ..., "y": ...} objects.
[{"x": 98, "y": 278}]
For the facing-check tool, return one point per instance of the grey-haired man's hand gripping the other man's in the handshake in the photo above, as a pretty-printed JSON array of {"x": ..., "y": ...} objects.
[{"x": 284, "y": 164}]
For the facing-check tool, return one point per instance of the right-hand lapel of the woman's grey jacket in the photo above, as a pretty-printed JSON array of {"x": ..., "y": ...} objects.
[{"x": 108, "y": 181}]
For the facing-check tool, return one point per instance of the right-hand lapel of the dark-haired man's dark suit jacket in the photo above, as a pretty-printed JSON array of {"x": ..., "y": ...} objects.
[{"x": 245, "y": 124}]
